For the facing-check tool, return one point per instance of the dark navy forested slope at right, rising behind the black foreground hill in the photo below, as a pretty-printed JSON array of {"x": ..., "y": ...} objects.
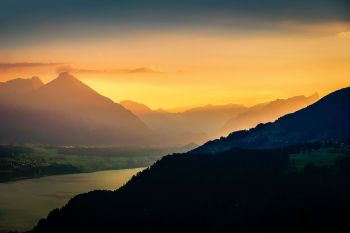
[{"x": 327, "y": 119}]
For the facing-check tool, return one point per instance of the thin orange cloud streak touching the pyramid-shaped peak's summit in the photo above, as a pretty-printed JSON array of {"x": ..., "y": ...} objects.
[{"x": 141, "y": 70}]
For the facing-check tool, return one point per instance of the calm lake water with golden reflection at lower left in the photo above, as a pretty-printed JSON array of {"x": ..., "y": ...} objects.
[{"x": 23, "y": 203}]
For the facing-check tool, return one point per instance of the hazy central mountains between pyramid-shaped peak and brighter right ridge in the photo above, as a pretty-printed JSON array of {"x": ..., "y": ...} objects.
[{"x": 194, "y": 125}]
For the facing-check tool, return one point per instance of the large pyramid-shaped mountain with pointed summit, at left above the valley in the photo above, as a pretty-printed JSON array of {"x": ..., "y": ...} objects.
[{"x": 66, "y": 111}]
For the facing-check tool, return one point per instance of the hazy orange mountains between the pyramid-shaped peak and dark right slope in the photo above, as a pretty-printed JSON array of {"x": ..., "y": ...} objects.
[{"x": 212, "y": 121}]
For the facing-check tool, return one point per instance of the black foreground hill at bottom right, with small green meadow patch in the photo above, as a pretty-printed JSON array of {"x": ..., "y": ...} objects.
[{"x": 234, "y": 191}]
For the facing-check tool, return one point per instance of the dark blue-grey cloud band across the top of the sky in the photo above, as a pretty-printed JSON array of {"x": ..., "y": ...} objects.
[{"x": 38, "y": 19}]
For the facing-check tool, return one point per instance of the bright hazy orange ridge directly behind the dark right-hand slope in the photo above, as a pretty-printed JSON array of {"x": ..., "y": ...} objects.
[{"x": 266, "y": 112}]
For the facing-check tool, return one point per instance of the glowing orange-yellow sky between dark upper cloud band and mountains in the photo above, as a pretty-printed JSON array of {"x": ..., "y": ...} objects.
[{"x": 183, "y": 68}]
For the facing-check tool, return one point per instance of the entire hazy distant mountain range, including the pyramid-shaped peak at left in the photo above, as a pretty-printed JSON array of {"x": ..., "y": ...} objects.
[{"x": 65, "y": 111}]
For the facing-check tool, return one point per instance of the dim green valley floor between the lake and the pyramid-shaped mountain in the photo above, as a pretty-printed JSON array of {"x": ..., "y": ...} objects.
[{"x": 32, "y": 161}]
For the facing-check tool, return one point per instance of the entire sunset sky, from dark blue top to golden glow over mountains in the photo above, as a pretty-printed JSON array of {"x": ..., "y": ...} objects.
[{"x": 170, "y": 54}]
